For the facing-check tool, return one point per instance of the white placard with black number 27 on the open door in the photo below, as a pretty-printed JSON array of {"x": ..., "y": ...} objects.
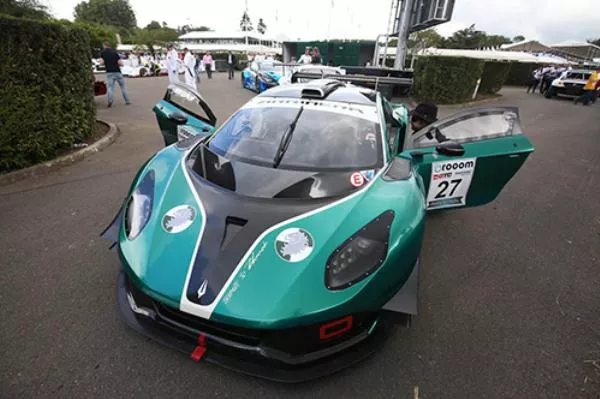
[{"x": 449, "y": 183}]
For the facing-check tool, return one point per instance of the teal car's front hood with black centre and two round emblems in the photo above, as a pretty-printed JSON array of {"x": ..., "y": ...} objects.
[{"x": 231, "y": 263}]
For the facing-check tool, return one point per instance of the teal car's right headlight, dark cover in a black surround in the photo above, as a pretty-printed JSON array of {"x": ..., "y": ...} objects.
[{"x": 360, "y": 255}]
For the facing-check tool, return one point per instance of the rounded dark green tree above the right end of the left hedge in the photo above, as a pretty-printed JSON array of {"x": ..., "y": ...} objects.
[{"x": 116, "y": 13}]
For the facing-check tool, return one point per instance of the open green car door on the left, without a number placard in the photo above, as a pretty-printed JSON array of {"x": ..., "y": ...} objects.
[{"x": 183, "y": 113}]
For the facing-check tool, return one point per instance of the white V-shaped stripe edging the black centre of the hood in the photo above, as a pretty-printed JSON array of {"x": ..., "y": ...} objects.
[{"x": 206, "y": 311}]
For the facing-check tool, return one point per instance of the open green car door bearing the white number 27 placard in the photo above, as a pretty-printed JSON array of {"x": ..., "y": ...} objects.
[{"x": 465, "y": 160}]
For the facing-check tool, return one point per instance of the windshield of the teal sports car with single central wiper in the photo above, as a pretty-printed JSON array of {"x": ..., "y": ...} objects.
[{"x": 321, "y": 140}]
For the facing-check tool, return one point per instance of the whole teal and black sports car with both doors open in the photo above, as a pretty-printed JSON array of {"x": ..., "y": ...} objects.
[{"x": 285, "y": 243}]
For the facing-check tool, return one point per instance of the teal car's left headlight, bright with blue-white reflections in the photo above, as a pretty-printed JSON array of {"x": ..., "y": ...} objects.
[{"x": 139, "y": 206}]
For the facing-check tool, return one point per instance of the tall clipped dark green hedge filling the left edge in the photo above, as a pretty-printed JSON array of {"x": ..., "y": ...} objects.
[{"x": 46, "y": 94}]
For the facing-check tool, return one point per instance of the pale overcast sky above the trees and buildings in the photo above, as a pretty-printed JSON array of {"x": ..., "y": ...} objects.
[{"x": 549, "y": 21}]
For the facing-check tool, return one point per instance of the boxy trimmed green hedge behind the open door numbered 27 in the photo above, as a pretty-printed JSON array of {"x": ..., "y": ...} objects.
[{"x": 446, "y": 80}]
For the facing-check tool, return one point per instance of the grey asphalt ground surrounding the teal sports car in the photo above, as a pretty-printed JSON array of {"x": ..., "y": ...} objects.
[{"x": 510, "y": 292}]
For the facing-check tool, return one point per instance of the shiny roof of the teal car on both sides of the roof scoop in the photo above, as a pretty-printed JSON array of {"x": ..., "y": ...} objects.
[{"x": 344, "y": 93}]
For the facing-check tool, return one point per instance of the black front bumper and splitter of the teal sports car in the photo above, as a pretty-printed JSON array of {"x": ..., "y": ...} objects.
[{"x": 244, "y": 350}]
